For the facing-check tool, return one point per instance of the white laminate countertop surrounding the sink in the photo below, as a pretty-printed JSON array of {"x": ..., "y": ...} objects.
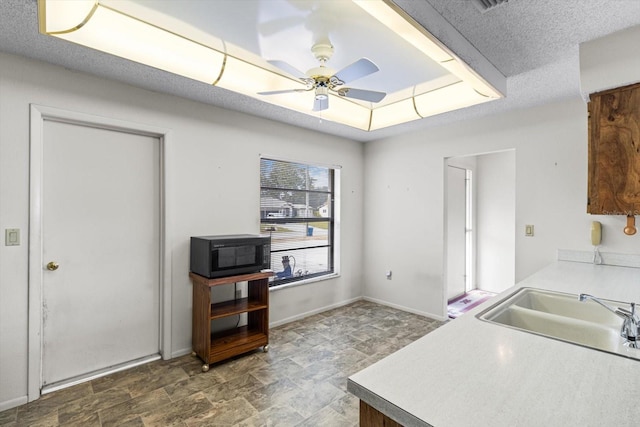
[{"x": 473, "y": 373}]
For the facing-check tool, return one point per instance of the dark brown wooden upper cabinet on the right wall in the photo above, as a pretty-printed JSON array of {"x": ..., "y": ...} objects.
[{"x": 614, "y": 152}]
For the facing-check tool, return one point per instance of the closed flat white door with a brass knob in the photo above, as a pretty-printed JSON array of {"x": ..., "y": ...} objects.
[{"x": 101, "y": 224}]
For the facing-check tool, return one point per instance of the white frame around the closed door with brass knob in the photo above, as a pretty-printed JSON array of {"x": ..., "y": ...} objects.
[{"x": 38, "y": 114}]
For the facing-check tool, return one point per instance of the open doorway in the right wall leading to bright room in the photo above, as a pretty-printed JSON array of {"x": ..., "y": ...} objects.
[{"x": 479, "y": 229}]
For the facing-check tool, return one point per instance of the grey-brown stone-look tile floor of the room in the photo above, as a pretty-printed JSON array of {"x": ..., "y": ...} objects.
[{"x": 301, "y": 381}]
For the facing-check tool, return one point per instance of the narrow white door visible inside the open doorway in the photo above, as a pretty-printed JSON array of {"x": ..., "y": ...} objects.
[{"x": 456, "y": 231}]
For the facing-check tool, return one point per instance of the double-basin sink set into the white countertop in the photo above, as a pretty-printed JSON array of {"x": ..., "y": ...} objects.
[{"x": 563, "y": 317}]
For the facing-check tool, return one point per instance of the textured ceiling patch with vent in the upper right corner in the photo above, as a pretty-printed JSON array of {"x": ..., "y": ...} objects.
[{"x": 523, "y": 35}]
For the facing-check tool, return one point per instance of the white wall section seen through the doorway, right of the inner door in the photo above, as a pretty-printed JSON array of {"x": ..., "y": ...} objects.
[{"x": 495, "y": 181}]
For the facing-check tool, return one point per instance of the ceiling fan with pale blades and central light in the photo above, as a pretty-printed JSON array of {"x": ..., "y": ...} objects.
[{"x": 323, "y": 79}]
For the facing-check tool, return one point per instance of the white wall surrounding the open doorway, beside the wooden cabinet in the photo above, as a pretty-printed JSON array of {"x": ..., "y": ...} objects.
[{"x": 404, "y": 199}]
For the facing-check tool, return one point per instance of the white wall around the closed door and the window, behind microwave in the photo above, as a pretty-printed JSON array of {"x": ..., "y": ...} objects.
[{"x": 215, "y": 164}]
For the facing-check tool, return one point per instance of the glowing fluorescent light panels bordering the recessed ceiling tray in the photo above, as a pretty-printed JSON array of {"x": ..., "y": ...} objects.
[{"x": 125, "y": 29}]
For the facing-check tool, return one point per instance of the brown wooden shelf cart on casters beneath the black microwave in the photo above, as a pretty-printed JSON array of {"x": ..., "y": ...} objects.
[{"x": 217, "y": 346}]
